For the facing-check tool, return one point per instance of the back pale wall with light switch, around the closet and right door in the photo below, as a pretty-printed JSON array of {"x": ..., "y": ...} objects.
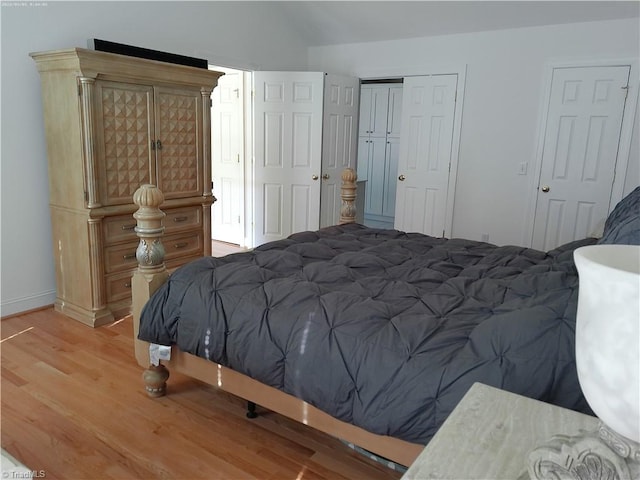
[{"x": 506, "y": 72}]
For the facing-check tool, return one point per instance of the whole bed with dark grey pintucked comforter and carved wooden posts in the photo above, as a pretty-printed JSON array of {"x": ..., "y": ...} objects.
[{"x": 370, "y": 335}]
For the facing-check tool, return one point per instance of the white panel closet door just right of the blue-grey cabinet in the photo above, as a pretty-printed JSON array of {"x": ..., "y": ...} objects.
[{"x": 428, "y": 112}]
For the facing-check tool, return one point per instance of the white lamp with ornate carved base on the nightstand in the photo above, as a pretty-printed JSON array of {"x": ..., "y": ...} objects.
[{"x": 608, "y": 364}]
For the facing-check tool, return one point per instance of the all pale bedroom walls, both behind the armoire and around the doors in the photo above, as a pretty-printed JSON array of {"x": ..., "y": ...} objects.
[{"x": 500, "y": 120}]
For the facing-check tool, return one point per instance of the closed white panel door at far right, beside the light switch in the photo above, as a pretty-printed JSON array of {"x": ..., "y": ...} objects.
[{"x": 579, "y": 155}]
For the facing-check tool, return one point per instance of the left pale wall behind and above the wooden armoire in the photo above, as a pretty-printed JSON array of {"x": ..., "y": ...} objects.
[{"x": 202, "y": 29}]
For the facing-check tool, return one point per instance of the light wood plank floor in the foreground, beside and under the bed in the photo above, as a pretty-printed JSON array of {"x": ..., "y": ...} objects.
[{"x": 73, "y": 407}]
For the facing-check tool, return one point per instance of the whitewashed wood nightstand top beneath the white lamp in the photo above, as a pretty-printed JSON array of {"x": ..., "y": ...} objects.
[{"x": 490, "y": 434}]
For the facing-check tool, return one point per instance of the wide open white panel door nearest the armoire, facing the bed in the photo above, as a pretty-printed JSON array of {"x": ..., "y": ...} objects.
[{"x": 288, "y": 147}]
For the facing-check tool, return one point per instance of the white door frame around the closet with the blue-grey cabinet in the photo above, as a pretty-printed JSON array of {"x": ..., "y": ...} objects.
[{"x": 429, "y": 70}]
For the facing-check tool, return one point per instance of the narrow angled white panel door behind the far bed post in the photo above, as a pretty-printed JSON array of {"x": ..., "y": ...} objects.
[{"x": 341, "y": 106}]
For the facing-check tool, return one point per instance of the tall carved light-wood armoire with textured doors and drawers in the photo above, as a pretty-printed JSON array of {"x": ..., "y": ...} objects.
[{"x": 112, "y": 123}]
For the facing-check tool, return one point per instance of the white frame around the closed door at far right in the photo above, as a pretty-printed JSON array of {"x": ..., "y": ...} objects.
[{"x": 626, "y": 132}]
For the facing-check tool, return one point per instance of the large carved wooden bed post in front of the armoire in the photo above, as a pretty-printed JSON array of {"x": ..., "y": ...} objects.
[{"x": 151, "y": 273}]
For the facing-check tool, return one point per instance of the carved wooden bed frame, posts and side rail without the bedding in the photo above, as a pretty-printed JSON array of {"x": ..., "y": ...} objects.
[{"x": 152, "y": 273}]
